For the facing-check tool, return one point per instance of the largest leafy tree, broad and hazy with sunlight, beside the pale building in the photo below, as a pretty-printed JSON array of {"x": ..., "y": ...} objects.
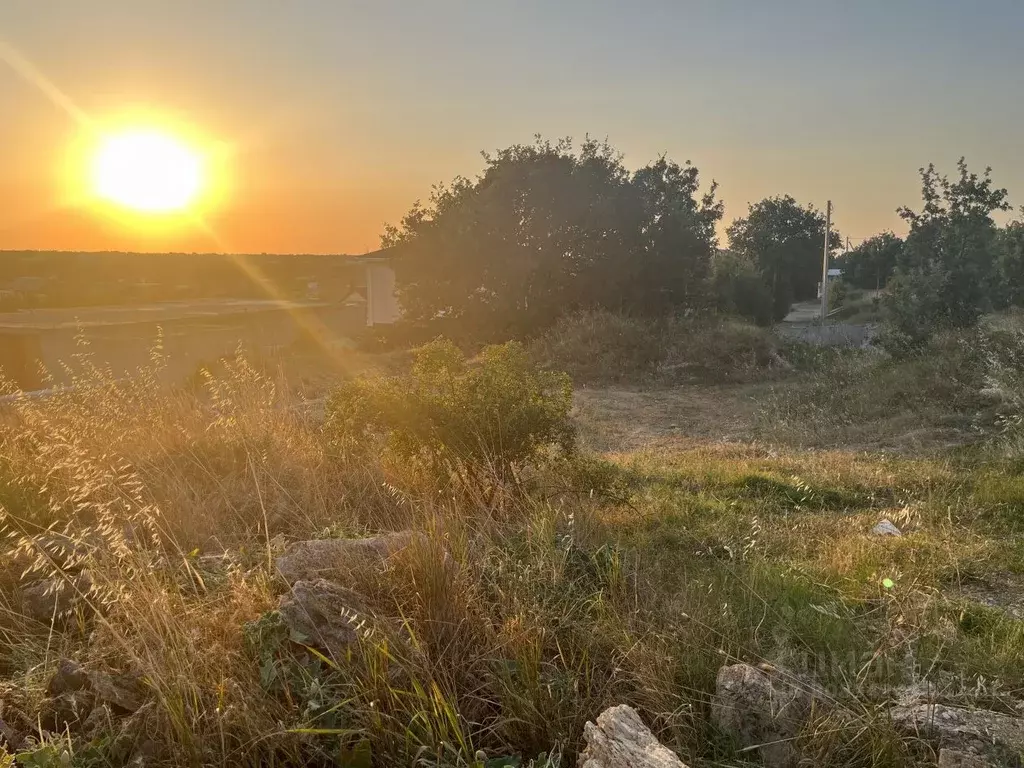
[{"x": 547, "y": 229}]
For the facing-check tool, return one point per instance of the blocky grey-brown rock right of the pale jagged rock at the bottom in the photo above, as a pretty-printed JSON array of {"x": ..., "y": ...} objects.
[{"x": 764, "y": 709}]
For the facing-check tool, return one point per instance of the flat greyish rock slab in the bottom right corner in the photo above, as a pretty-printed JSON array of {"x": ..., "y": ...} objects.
[{"x": 978, "y": 735}]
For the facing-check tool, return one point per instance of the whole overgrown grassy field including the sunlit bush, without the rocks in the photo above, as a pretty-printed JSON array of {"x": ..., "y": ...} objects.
[{"x": 552, "y": 580}]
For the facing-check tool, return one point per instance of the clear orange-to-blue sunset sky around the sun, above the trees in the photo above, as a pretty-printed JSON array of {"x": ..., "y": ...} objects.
[{"x": 338, "y": 114}]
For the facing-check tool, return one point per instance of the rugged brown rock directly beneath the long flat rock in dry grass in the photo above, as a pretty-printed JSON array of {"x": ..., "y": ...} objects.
[{"x": 323, "y": 615}]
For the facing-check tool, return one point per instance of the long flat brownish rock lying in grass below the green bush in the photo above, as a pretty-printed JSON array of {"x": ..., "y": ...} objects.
[{"x": 332, "y": 559}]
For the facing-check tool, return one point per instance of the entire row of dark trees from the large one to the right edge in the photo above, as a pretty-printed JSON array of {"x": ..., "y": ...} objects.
[{"x": 551, "y": 228}]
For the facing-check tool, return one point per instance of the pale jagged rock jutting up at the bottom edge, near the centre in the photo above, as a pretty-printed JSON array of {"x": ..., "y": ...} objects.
[{"x": 620, "y": 740}]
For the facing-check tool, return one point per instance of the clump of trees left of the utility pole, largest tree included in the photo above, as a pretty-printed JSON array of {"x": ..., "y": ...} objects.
[{"x": 549, "y": 229}]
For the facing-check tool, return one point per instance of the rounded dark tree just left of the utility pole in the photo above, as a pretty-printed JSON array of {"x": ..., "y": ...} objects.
[{"x": 785, "y": 240}]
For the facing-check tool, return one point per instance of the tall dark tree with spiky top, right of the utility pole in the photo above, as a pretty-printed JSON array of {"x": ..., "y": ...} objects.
[{"x": 948, "y": 271}]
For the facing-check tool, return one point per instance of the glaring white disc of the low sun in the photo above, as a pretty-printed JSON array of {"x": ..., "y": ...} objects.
[{"x": 147, "y": 172}]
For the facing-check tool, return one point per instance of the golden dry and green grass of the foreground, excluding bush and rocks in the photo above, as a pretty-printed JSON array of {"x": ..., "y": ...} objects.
[{"x": 628, "y": 581}]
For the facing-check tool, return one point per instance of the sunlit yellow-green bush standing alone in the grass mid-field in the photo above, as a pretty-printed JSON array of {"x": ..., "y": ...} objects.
[{"x": 498, "y": 414}]
